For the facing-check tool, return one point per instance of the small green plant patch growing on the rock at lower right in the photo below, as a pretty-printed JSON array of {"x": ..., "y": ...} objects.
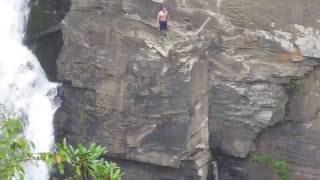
[{"x": 280, "y": 167}]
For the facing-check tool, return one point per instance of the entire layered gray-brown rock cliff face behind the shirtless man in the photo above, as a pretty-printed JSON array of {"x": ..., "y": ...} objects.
[{"x": 233, "y": 77}]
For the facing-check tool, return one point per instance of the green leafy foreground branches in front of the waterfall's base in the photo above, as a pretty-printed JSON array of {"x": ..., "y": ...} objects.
[{"x": 81, "y": 162}]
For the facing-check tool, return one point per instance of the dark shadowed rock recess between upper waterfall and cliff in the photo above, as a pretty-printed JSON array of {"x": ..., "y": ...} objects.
[{"x": 43, "y": 33}]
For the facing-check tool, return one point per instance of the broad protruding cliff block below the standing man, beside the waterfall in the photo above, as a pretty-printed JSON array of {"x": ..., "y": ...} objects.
[{"x": 143, "y": 98}]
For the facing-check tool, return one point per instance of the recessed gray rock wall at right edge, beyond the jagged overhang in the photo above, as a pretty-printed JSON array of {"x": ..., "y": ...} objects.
[{"x": 297, "y": 140}]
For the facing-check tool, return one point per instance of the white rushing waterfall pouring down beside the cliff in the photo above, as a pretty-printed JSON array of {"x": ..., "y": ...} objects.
[{"x": 24, "y": 87}]
